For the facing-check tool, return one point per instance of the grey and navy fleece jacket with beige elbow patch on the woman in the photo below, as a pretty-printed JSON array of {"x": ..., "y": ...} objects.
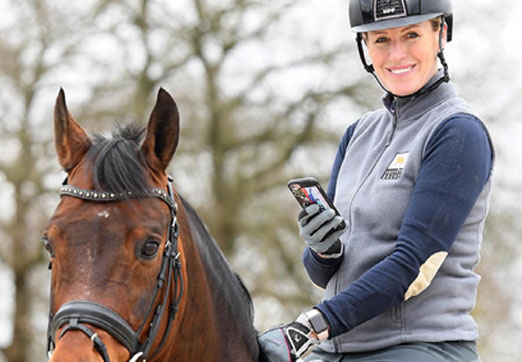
[{"x": 412, "y": 181}]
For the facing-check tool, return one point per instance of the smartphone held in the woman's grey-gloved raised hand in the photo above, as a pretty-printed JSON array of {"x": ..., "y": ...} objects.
[{"x": 308, "y": 191}]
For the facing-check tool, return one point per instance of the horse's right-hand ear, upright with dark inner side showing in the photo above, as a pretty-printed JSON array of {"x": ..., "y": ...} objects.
[{"x": 162, "y": 135}]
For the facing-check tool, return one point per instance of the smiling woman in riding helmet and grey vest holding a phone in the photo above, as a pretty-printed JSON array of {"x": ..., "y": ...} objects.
[{"x": 412, "y": 182}]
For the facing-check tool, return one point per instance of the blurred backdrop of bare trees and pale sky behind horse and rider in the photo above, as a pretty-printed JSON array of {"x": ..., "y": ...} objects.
[{"x": 265, "y": 90}]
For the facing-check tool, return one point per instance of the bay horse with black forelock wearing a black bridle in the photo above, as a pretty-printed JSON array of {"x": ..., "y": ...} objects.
[{"x": 135, "y": 274}]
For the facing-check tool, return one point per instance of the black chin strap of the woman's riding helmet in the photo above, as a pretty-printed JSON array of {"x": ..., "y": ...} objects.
[{"x": 371, "y": 69}]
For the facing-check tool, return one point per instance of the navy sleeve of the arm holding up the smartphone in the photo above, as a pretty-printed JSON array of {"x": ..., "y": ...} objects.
[{"x": 319, "y": 269}]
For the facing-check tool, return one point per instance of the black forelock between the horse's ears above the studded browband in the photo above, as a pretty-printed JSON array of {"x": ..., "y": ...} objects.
[{"x": 117, "y": 163}]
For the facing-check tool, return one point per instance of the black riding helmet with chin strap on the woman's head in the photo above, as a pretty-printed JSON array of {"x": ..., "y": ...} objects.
[{"x": 369, "y": 15}]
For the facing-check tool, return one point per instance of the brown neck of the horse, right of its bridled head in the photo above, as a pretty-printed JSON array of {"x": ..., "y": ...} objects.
[{"x": 207, "y": 329}]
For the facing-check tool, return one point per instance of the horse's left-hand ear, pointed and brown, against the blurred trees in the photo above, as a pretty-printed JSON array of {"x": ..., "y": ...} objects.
[{"x": 71, "y": 141}]
